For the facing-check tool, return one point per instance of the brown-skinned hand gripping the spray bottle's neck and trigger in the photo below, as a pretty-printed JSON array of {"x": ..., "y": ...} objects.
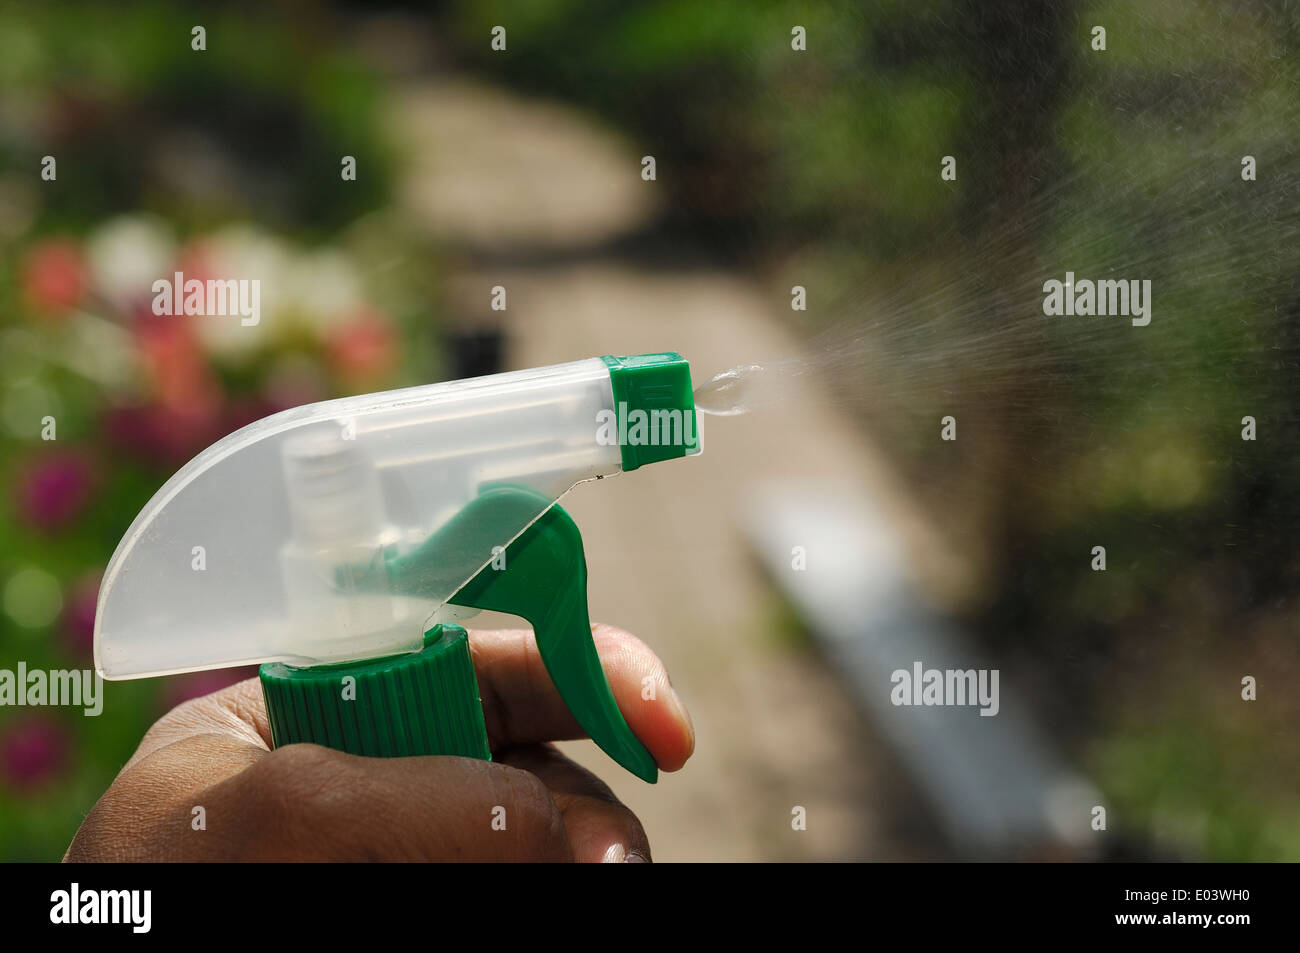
[{"x": 306, "y": 803}]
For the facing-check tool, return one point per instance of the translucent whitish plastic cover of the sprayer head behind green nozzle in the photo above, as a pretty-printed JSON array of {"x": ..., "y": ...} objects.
[{"x": 275, "y": 544}]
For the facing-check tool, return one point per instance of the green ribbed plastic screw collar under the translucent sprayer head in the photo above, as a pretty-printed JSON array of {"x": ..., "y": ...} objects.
[{"x": 423, "y": 703}]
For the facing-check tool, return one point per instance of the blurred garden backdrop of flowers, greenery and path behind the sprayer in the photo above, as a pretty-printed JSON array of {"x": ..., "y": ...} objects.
[{"x": 775, "y": 167}]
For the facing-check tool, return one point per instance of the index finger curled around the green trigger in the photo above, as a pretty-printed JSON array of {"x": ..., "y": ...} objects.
[{"x": 522, "y": 705}]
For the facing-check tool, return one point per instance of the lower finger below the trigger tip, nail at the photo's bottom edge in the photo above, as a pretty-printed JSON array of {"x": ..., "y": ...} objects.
[{"x": 600, "y": 828}]
